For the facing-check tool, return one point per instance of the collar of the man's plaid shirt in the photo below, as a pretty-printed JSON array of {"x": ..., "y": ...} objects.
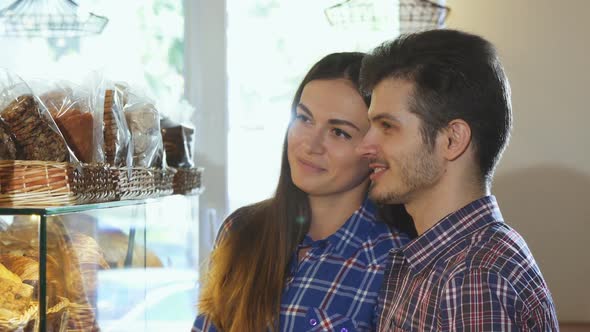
[{"x": 423, "y": 250}]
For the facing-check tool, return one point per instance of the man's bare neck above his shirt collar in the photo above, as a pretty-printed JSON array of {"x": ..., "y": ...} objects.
[{"x": 430, "y": 206}]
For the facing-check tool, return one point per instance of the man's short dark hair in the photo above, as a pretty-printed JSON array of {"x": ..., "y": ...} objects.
[{"x": 456, "y": 75}]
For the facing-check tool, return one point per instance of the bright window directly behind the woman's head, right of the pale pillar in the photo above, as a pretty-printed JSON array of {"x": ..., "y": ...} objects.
[{"x": 271, "y": 45}]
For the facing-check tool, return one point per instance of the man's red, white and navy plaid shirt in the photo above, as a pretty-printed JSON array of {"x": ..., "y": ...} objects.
[{"x": 469, "y": 272}]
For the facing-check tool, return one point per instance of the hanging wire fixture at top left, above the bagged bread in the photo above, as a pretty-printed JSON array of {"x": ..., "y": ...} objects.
[{"x": 49, "y": 18}]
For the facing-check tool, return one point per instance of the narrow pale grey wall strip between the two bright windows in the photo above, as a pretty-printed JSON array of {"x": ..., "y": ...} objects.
[{"x": 206, "y": 89}]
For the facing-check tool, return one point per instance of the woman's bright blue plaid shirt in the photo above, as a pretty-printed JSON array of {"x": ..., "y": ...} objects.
[{"x": 335, "y": 286}]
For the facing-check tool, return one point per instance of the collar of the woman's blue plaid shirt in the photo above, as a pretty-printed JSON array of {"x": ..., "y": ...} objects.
[{"x": 352, "y": 234}]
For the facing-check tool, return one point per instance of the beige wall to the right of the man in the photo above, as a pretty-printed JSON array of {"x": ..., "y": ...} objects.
[{"x": 543, "y": 182}]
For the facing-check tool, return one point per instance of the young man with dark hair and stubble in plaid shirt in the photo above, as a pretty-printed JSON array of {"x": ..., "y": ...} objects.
[{"x": 440, "y": 119}]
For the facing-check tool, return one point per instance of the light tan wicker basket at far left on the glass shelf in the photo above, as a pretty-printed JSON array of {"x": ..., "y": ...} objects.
[{"x": 26, "y": 183}]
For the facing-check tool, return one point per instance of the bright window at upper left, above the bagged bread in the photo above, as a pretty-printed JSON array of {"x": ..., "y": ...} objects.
[{"x": 133, "y": 48}]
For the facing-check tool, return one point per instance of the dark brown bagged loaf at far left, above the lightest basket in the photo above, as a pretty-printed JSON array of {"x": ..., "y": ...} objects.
[{"x": 32, "y": 133}]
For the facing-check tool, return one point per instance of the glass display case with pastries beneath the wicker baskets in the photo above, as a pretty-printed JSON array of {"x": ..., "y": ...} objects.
[{"x": 114, "y": 266}]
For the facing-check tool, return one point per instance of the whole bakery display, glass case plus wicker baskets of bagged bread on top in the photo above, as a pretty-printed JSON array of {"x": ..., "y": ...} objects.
[{"x": 98, "y": 209}]
